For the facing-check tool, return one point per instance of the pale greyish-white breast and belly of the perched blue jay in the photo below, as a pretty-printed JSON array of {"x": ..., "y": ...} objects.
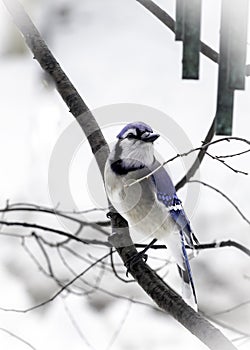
[{"x": 147, "y": 217}]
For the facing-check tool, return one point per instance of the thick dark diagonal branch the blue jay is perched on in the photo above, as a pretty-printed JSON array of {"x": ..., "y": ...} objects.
[{"x": 151, "y": 283}]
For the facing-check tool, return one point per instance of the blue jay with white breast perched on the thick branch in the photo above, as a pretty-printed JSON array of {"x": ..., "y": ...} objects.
[{"x": 150, "y": 206}]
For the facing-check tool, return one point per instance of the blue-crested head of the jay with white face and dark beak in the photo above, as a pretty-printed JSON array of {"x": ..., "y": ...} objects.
[{"x": 135, "y": 145}]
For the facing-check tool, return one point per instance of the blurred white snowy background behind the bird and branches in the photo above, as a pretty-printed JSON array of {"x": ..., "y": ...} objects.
[{"x": 114, "y": 51}]
